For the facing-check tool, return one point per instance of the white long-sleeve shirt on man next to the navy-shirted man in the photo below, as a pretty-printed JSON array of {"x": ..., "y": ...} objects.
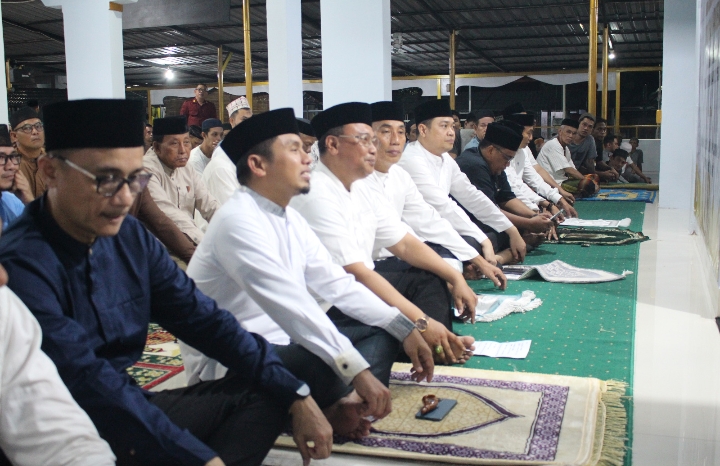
[{"x": 258, "y": 261}]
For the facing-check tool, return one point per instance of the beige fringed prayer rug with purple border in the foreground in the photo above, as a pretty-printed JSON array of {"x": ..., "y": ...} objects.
[{"x": 500, "y": 418}]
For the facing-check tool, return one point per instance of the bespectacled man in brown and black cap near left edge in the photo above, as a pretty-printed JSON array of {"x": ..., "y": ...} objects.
[{"x": 28, "y": 134}]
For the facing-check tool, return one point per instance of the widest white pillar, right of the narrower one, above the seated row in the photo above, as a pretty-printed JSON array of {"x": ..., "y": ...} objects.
[{"x": 356, "y": 51}]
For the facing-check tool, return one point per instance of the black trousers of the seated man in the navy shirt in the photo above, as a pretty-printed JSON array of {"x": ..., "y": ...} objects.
[{"x": 228, "y": 415}]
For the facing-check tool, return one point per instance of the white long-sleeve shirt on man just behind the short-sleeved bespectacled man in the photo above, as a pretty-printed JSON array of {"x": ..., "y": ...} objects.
[{"x": 398, "y": 188}]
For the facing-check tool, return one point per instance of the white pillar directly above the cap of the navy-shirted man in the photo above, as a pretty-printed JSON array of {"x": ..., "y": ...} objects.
[{"x": 93, "y": 48}]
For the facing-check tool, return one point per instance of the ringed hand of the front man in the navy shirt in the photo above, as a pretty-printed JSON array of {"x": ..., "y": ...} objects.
[{"x": 310, "y": 425}]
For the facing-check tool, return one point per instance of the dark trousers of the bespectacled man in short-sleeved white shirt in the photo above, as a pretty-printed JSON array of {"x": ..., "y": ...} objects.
[{"x": 422, "y": 288}]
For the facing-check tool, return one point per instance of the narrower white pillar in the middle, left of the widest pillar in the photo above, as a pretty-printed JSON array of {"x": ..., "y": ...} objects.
[{"x": 284, "y": 30}]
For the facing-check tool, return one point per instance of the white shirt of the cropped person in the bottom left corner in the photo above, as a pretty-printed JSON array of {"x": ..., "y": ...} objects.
[{"x": 40, "y": 422}]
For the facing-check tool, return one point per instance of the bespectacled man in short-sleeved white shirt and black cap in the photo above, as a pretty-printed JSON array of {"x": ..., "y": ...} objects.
[{"x": 351, "y": 220}]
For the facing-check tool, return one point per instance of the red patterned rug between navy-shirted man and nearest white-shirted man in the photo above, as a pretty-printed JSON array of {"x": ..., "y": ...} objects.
[{"x": 160, "y": 360}]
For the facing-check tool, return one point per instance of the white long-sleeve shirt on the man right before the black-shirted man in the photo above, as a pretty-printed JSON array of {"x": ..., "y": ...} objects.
[{"x": 437, "y": 177}]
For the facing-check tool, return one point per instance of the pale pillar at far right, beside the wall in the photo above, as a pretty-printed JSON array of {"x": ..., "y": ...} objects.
[{"x": 680, "y": 105}]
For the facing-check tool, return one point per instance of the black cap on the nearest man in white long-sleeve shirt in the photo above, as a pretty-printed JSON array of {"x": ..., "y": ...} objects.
[{"x": 257, "y": 129}]
